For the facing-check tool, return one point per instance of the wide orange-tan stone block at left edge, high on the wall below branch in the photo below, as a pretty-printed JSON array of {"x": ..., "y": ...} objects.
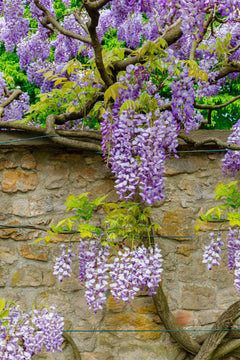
[{"x": 16, "y": 180}]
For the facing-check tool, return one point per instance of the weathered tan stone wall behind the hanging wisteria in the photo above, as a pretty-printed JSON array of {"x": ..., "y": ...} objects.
[{"x": 36, "y": 178}]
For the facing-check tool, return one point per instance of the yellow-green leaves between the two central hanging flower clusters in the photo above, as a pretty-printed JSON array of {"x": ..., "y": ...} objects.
[{"x": 125, "y": 220}]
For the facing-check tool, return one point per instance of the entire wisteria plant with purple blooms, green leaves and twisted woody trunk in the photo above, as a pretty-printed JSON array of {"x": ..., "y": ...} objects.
[{"x": 128, "y": 78}]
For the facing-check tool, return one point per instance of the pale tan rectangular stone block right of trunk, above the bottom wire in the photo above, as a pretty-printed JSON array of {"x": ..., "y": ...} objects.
[{"x": 198, "y": 297}]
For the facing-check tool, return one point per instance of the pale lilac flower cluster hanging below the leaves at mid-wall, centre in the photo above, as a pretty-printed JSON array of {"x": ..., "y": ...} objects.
[{"x": 130, "y": 272}]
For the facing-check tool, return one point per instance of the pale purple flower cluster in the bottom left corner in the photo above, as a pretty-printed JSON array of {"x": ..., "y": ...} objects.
[{"x": 25, "y": 335}]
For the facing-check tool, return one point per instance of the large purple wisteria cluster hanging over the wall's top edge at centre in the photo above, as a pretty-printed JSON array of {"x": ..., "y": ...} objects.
[{"x": 137, "y": 142}]
